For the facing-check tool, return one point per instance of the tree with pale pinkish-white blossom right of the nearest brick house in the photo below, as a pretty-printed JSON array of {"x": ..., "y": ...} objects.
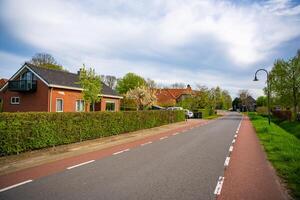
[{"x": 142, "y": 95}]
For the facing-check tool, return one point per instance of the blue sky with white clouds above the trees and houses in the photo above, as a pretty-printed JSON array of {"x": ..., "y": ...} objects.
[{"x": 197, "y": 42}]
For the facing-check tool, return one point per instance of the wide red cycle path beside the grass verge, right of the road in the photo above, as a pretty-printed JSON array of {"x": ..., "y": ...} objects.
[{"x": 249, "y": 174}]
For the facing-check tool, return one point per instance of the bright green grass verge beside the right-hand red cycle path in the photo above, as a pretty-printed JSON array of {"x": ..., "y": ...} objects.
[{"x": 283, "y": 151}]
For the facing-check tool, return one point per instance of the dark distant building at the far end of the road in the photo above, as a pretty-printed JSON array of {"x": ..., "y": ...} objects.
[{"x": 248, "y": 105}]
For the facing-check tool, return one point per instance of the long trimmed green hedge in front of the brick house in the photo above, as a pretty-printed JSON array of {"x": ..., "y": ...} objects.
[{"x": 21, "y": 132}]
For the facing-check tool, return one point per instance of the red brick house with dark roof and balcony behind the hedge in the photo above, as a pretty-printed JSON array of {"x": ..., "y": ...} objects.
[{"x": 37, "y": 89}]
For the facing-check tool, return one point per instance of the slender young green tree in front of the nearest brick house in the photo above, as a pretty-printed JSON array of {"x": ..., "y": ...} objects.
[{"x": 91, "y": 84}]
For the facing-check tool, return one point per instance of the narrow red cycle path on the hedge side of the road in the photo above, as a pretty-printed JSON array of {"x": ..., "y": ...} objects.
[{"x": 57, "y": 166}]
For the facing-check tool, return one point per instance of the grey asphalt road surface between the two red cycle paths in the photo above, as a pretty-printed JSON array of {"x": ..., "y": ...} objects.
[{"x": 183, "y": 166}]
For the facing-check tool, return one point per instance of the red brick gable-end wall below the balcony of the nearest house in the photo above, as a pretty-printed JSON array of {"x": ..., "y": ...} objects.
[{"x": 29, "y": 101}]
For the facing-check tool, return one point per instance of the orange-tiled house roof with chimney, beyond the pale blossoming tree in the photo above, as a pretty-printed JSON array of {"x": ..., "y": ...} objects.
[{"x": 171, "y": 96}]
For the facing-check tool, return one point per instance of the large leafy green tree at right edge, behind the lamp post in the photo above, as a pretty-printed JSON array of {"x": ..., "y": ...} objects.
[{"x": 285, "y": 82}]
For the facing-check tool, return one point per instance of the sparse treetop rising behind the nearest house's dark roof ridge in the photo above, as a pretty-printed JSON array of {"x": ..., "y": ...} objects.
[{"x": 45, "y": 60}]
